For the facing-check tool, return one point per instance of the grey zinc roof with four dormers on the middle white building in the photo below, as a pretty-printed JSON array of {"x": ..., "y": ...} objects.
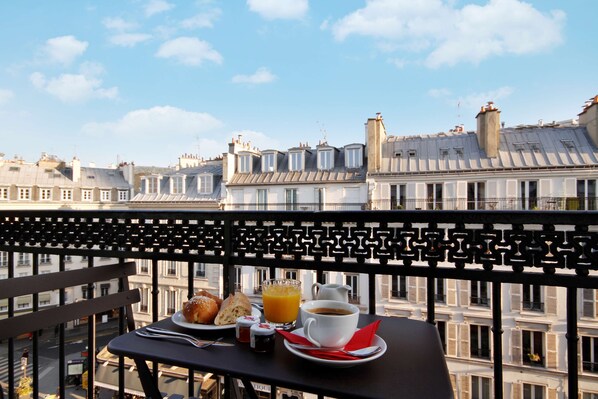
[{"x": 310, "y": 174}]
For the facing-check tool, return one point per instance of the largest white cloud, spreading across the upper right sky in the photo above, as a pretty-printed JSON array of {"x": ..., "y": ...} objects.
[{"x": 448, "y": 35}]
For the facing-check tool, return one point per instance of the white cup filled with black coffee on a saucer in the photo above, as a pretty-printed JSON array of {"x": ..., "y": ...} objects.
[{"x": 328, "y": 323}]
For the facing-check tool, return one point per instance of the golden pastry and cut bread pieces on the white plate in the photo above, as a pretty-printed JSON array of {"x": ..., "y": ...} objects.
[{"x": 206, "y": 308}]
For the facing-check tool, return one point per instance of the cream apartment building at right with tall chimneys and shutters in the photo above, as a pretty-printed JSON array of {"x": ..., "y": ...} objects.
[{"x": 548, "y": 166}]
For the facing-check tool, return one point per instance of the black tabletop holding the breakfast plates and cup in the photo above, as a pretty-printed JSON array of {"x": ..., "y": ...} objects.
[{"x": 413, "y": 366}]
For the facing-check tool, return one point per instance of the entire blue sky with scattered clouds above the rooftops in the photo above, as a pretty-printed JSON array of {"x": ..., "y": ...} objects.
[{"x": 145, "y": 81}]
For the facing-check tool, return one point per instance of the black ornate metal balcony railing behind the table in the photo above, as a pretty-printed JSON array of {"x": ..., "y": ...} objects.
[{"x": 520, "y": 247}]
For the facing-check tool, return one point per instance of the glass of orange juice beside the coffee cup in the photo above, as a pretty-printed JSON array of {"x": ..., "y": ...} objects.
[{"x": 282, "y": 298}]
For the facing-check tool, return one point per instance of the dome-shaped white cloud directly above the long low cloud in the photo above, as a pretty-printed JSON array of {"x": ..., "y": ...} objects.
[{"x": 189, "y": 51}]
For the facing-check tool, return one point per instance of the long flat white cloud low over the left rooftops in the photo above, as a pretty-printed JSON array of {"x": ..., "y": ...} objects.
[{"x": 159, "y": 121}]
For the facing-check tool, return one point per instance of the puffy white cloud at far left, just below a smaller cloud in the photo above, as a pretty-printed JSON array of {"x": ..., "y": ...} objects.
[{"x": 75, "y": 88}]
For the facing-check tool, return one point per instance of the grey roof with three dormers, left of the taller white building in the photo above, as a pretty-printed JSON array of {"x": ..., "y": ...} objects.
[{"x": 191, "y": 194}]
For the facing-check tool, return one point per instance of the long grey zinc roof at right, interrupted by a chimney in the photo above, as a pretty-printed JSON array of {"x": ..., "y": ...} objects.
[{"x": 527, "y": 147}]
